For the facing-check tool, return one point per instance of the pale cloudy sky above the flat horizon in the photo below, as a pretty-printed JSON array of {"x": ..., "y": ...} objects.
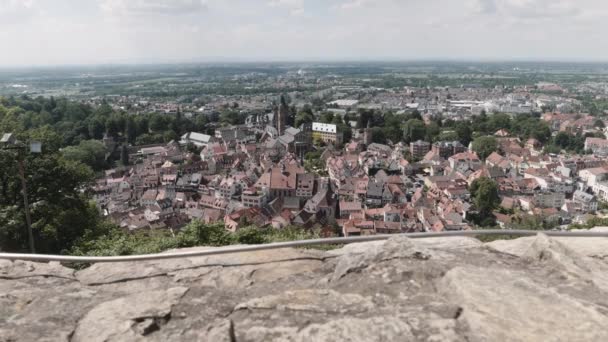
[{"x": 84, "y": 32}]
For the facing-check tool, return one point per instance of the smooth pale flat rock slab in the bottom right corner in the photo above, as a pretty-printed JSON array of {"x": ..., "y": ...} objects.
[{"x": 508, "y": 305}]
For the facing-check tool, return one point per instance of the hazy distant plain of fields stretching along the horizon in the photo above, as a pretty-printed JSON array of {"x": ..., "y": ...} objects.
[{"x": 251, "y": 78}]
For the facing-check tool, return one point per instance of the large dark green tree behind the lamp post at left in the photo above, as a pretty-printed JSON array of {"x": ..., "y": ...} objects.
[{"x": 60, "y": 212}]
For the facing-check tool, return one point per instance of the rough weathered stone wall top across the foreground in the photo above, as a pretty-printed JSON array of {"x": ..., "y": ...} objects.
[{"x": 441, "y": 289}]
